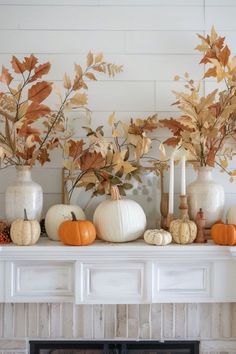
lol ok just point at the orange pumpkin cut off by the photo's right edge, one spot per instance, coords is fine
(224, 234)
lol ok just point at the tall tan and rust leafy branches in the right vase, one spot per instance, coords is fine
(207, 125)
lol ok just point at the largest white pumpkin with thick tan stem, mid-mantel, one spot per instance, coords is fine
(119, 220)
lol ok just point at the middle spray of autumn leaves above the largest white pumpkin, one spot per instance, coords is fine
(99, 163)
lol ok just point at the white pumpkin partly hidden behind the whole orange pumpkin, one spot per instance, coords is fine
(59, 213)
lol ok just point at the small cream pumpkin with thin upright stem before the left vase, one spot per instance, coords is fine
(25, 232)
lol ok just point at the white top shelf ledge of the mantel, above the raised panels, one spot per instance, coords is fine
(137, 249)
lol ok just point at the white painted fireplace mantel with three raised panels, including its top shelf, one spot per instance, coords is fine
(106, 273)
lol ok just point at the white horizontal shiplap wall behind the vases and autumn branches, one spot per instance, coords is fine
(153, 39)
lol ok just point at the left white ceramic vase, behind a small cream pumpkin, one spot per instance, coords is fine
(23, 194)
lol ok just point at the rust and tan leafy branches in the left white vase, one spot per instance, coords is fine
(30, 128)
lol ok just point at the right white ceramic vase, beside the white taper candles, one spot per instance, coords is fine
(205, 193)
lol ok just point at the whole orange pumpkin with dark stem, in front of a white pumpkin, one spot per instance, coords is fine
(77, 232)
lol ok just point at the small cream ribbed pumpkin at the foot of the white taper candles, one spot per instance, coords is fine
(183, 231)
